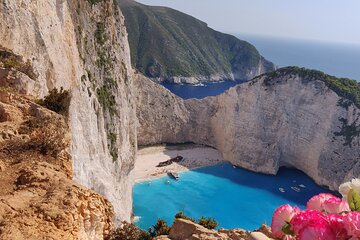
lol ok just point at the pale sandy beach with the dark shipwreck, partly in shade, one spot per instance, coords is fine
(194, 156)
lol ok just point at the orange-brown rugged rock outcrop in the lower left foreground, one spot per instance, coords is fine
(38, 198)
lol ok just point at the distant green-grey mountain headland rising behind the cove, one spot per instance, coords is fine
(167, 45)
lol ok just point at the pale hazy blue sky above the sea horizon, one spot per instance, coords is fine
(329, 20)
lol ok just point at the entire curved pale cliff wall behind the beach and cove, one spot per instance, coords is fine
(289, 120)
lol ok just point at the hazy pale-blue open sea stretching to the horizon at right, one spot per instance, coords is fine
(338, 59)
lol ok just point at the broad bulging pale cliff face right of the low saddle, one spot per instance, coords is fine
(292, 122)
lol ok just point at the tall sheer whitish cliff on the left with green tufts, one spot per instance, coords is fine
(82, 47)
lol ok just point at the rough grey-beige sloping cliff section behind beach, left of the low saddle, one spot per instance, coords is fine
(161, 115)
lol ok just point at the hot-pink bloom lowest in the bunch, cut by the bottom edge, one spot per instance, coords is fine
(317, 231)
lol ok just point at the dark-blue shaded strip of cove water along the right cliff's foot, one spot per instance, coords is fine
(286, 178)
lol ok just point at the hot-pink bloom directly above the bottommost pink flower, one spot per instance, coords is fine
(306, 218)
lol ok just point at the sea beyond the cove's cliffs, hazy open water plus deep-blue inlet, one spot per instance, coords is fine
(340, 60)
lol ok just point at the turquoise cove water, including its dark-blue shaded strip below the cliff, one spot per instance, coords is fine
(233, 196)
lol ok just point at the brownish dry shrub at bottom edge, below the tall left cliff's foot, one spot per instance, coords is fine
(128, 231)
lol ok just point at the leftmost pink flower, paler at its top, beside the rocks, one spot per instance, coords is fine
(281, 217)
